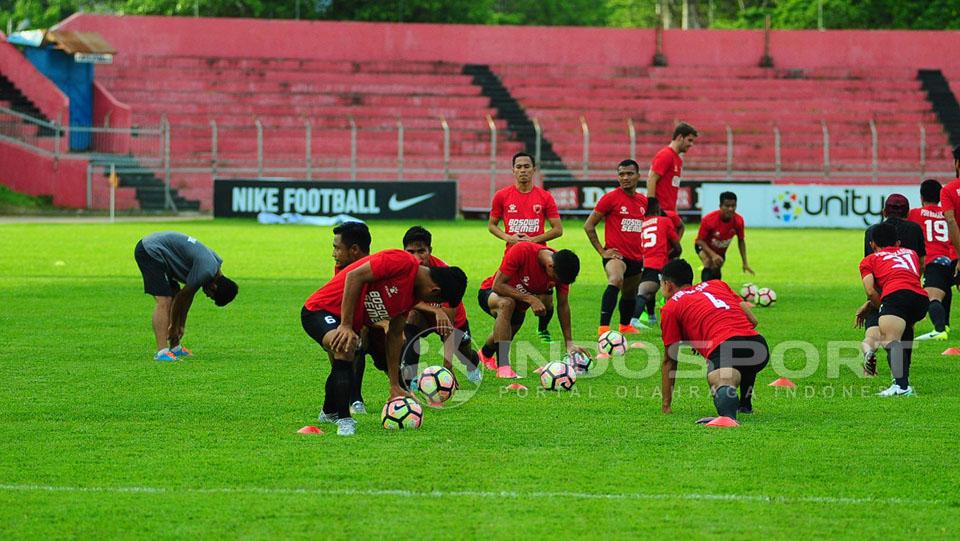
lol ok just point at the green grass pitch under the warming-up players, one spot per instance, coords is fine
(99, 441)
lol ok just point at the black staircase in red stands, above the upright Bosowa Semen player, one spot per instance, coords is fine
(519, 124)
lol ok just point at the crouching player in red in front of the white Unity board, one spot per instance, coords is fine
(717, 229)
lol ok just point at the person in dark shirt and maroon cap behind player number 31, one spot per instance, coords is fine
(895, 210)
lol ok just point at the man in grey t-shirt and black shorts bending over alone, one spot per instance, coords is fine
(166, 260)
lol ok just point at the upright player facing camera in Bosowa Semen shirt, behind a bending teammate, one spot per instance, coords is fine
(525, 208)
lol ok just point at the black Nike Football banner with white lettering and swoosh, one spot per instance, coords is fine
(416, 200)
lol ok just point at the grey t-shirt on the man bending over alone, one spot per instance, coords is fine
(185, 258)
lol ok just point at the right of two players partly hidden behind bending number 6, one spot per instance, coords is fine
(426, 318)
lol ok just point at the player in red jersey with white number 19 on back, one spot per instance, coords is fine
(938, 271)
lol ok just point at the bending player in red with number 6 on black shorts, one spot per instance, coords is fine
(374, 290)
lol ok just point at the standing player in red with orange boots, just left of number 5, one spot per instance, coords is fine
(622, 211)
